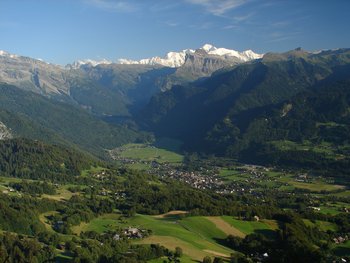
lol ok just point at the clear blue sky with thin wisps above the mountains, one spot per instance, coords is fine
(63, 31)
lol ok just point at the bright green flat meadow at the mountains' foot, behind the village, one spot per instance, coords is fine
(145, 152)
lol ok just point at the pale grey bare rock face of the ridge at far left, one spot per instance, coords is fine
(32, 74)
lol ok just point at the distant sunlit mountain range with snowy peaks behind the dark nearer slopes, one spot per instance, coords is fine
(117, 89)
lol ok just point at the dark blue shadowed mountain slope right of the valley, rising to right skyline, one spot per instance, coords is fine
(213, 115)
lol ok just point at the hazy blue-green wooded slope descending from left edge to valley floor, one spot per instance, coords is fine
(40, 118)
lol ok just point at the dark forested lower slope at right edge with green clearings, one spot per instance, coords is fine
(310, 130)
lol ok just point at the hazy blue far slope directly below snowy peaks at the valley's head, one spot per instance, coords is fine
(117, 89)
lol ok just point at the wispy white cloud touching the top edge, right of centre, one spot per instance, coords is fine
(218, 7)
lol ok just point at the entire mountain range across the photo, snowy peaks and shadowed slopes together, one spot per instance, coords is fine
(215, 100)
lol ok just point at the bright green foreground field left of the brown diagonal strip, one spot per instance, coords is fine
(197, 236)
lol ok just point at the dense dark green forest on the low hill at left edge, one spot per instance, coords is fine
(36, 160)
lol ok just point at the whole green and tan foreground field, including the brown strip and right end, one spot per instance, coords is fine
(198, 236)
